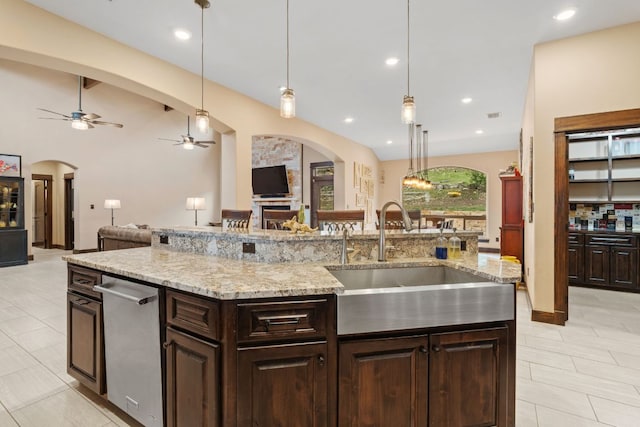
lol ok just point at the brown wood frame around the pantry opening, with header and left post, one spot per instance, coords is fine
(562, 127)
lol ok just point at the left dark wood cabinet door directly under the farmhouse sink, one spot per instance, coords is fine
(383, 382)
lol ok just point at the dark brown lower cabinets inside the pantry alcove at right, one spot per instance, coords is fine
(609, 260)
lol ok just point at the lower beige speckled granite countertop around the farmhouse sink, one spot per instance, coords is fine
(226, 279)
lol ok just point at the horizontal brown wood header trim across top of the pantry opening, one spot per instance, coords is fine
(597, 121)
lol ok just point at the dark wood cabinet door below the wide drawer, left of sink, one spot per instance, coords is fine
(283, 385)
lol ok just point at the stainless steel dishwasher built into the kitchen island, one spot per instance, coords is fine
(132, 348)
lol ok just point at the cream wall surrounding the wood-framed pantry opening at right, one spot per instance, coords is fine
(592, 73)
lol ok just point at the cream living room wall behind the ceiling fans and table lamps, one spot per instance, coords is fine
(152, 178)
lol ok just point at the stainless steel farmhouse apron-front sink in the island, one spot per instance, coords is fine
(402, 298)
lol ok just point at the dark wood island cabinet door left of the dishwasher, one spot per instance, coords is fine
(85, 342)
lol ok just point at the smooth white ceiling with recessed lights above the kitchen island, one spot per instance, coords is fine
(458, 48)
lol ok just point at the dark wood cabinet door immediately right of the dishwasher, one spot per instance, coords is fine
(192, 380)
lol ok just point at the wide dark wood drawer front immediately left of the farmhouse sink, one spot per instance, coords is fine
(282, 320)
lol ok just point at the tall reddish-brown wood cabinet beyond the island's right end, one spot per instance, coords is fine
(512, 230)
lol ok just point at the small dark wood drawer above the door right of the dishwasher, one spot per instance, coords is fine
(194, 314)
